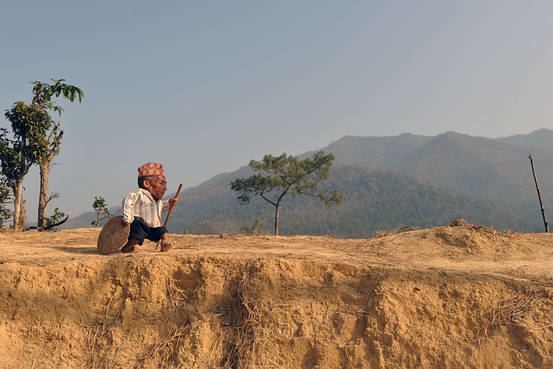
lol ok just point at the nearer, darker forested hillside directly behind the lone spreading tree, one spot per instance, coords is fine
(374, 201)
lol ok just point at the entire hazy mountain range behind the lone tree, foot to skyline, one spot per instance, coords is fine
(437, 178)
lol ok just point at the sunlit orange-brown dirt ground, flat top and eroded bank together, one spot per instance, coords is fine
(458, 296)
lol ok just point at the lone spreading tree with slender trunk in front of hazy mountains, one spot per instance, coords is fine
(277, 176)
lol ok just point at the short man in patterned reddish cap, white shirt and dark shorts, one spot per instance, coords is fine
(142, 208)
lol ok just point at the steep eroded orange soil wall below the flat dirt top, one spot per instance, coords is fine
(198, 312)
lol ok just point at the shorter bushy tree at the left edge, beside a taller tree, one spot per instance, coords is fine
(22, 150)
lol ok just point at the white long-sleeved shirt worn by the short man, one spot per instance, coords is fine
(141, 204)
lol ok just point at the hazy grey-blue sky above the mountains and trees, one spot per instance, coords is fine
(205, 86)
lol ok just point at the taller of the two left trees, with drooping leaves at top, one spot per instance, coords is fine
(48, 144)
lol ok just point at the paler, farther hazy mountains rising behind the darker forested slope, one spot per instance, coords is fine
(482, 168)
